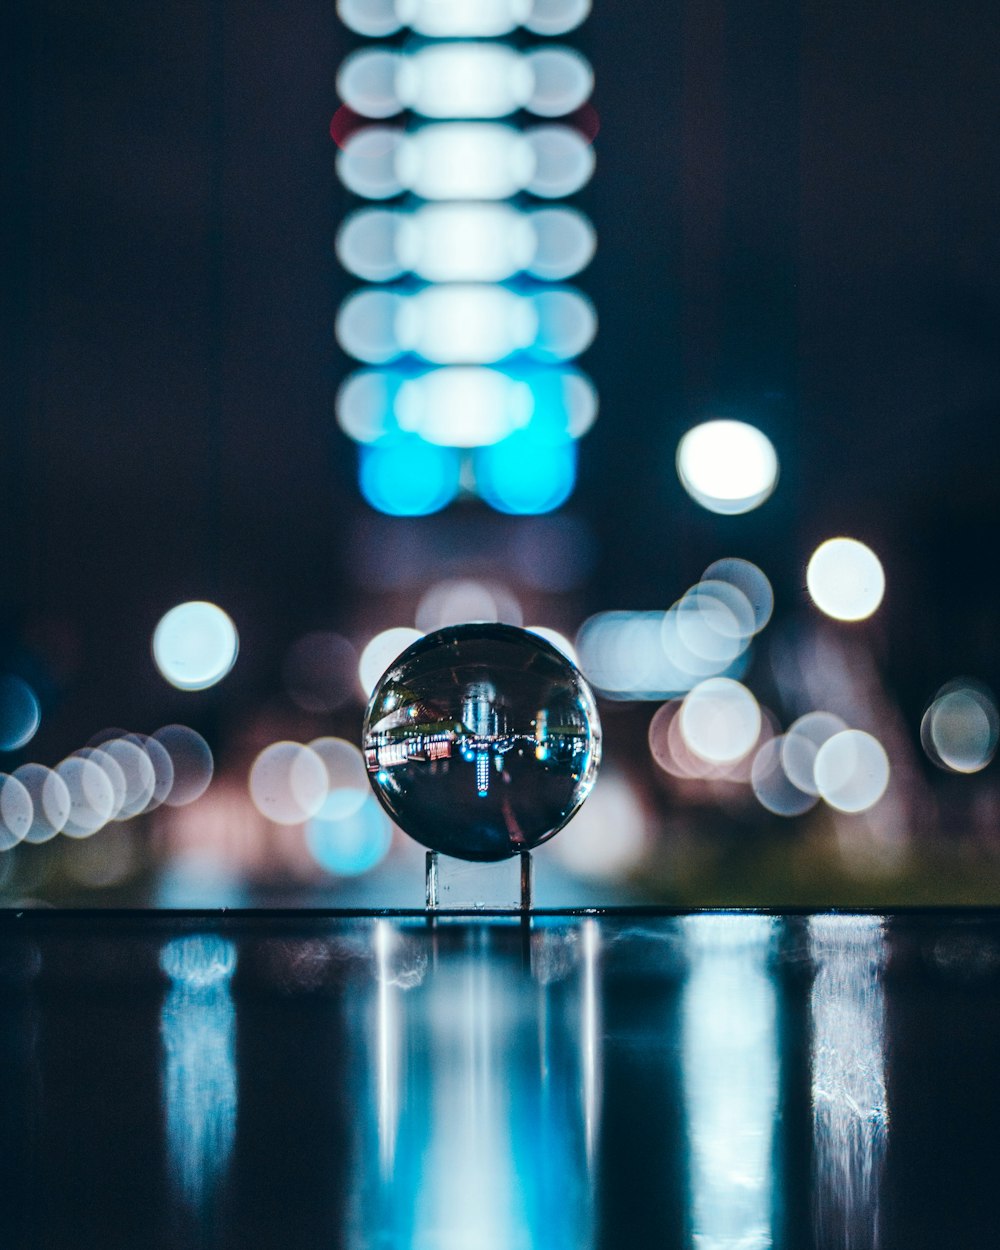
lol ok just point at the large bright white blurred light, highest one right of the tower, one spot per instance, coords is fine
(728, 467)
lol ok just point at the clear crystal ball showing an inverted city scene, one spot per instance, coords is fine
(482, 741)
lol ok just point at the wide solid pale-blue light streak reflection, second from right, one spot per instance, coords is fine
(729, 1047)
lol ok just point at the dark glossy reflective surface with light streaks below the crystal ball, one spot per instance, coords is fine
(709, 1081)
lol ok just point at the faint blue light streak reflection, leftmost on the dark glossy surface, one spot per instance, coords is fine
(199, 1027)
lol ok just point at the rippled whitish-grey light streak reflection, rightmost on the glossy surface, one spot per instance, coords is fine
(851, 1116)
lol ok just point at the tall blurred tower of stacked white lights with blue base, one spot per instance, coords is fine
(468, 332)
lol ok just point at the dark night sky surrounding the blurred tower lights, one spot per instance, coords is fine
(797, 209)
